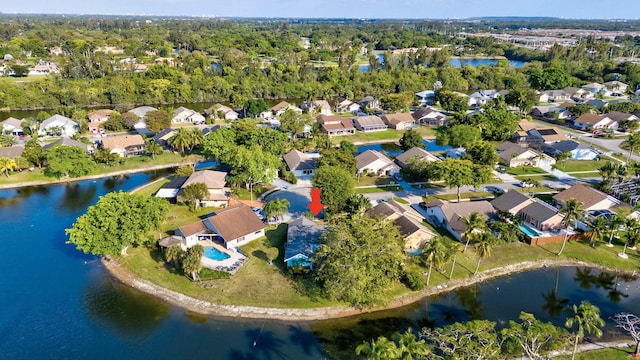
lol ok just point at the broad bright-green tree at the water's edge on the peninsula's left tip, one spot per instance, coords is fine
(116, 221)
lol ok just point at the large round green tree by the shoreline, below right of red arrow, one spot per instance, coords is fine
(377, 246)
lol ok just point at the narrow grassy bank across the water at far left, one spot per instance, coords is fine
(132, 163)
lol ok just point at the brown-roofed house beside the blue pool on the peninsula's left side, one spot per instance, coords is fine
(237, 225)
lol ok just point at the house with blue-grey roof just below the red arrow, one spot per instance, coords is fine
(303, 238)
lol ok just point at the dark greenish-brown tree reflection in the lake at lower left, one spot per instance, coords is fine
(128, 311)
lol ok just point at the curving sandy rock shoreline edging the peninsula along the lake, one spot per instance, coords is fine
(300, 314)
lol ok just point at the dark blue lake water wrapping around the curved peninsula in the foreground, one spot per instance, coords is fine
(56, 302)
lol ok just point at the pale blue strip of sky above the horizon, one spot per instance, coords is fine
(422, 9)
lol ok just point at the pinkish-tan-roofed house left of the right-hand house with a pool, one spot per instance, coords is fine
(450, 215)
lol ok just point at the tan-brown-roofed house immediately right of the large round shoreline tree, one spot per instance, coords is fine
(407, 220)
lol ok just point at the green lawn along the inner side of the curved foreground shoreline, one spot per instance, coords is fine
(259, 284)
